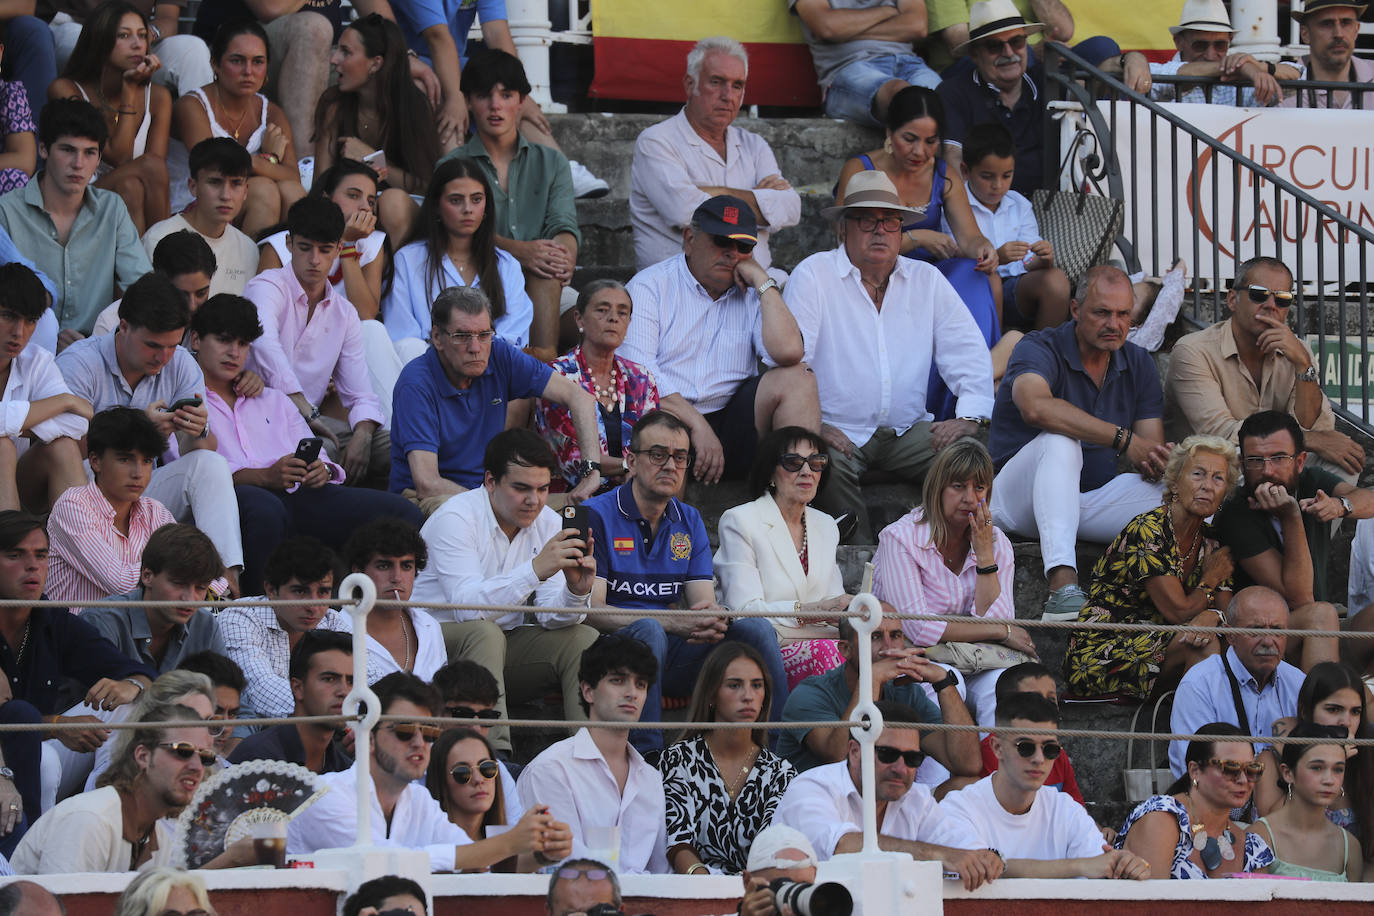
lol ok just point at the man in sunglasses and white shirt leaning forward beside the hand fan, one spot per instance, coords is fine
(405, 815)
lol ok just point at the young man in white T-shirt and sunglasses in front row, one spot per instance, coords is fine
(1038, 830)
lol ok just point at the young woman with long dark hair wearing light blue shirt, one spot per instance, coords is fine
(453, 244)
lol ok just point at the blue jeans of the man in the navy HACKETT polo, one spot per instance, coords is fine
(679, 664)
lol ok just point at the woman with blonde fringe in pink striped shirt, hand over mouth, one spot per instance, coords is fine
(947, 558)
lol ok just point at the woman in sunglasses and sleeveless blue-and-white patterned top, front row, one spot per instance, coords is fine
(1189, 833)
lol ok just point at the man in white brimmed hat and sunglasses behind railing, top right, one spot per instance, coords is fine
(1203, 41)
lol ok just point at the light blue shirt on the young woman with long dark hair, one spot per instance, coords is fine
(407, 311)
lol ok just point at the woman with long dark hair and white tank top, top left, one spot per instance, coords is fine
(112, 68)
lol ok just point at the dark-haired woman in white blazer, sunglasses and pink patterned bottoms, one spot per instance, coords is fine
(778, 554)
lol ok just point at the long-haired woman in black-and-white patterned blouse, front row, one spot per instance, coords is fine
(722, 788)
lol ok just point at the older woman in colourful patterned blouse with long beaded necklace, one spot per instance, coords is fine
(624, 391)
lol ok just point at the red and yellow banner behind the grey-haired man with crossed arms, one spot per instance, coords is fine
(641, 49)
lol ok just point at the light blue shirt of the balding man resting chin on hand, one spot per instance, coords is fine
(1204, 697)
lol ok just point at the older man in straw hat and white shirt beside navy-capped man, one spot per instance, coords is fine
(875, 325)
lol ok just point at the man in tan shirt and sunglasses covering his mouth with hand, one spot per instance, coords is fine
(1254, 362)
